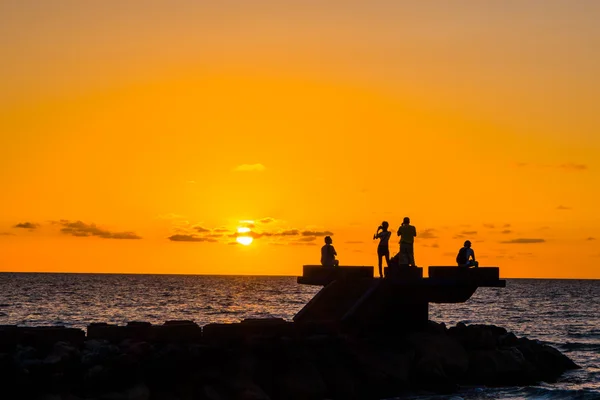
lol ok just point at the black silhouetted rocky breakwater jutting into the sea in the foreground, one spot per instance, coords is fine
(264, 359)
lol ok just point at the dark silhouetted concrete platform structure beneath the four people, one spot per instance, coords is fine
(354, 299)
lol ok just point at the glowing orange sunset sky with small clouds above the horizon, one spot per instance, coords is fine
(125, 125)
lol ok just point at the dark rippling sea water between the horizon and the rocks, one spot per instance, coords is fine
(562, 313)
